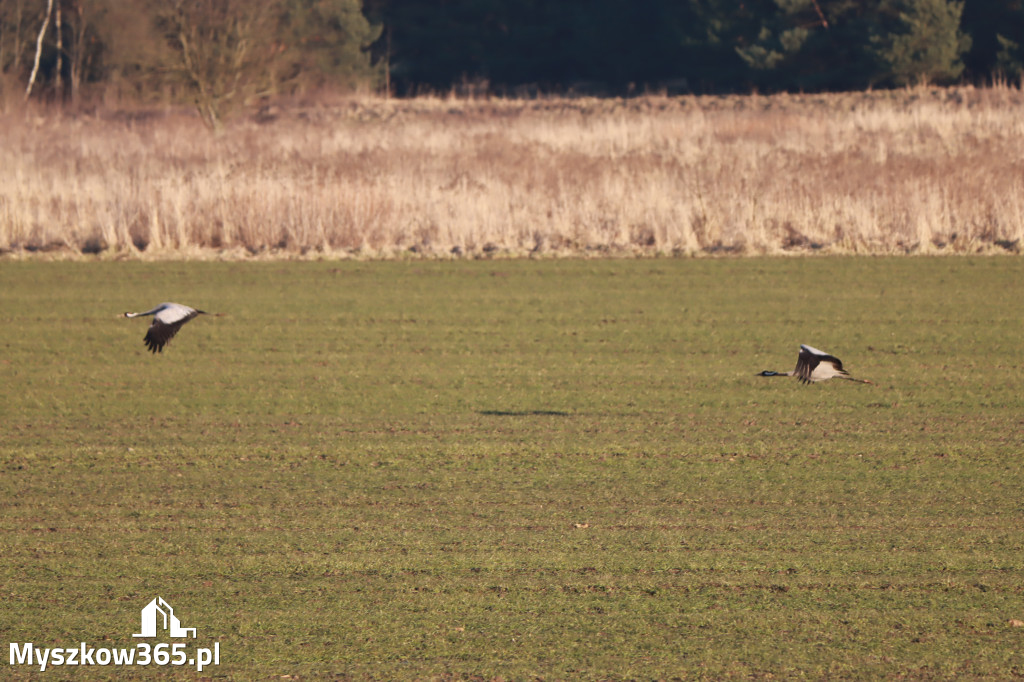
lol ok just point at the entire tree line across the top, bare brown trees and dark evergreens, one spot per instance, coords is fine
(221, 55)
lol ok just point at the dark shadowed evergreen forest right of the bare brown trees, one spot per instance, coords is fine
(697, 47)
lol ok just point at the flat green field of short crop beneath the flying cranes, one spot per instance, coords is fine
(560, 470)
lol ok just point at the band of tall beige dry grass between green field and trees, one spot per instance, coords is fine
(911, 172)
